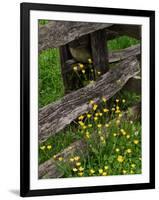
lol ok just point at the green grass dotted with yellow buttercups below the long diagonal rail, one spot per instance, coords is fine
(112, 142)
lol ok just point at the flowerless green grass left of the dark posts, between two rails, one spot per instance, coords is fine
(50, 80)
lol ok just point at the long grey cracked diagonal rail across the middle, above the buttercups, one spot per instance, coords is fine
(55, 116)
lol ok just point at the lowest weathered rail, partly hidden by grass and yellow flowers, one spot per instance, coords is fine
(49, 169)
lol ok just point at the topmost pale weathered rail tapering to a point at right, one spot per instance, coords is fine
(58, 33)
